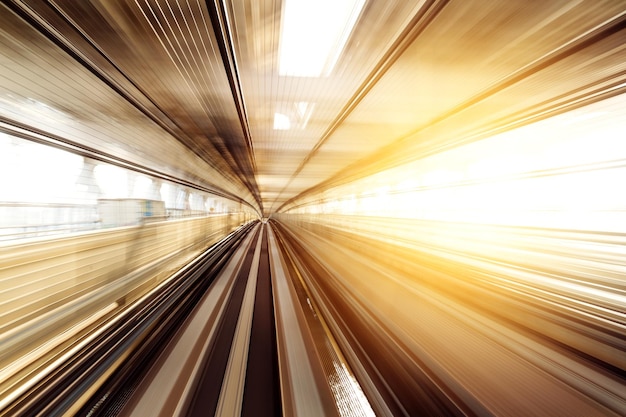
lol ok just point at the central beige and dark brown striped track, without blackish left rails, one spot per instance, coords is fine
(253, 346)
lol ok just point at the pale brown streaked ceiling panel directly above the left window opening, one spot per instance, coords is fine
(45, 91)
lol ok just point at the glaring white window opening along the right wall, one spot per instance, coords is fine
(557, 173)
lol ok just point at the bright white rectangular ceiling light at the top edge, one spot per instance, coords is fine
(313, 34)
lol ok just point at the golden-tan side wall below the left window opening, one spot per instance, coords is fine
(54, 291)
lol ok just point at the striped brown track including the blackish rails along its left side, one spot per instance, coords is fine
(233, 333)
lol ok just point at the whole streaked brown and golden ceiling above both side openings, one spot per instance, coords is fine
(409, 79)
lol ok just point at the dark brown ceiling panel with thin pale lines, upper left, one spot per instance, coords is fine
(170, 52)
